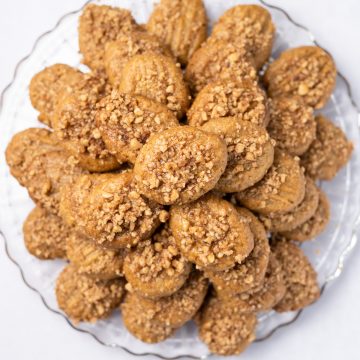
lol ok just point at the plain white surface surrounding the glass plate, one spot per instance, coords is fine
(327, 330)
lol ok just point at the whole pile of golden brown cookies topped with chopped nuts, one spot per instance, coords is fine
(175, 179)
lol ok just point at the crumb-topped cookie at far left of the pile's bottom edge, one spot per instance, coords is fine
(85, 299)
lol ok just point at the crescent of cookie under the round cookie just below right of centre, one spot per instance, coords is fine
(249, 273)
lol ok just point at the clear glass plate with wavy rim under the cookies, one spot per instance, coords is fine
(327, 253)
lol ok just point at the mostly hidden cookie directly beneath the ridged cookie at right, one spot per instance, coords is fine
(299, 215)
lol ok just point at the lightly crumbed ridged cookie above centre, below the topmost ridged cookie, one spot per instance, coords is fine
(157, 77)
